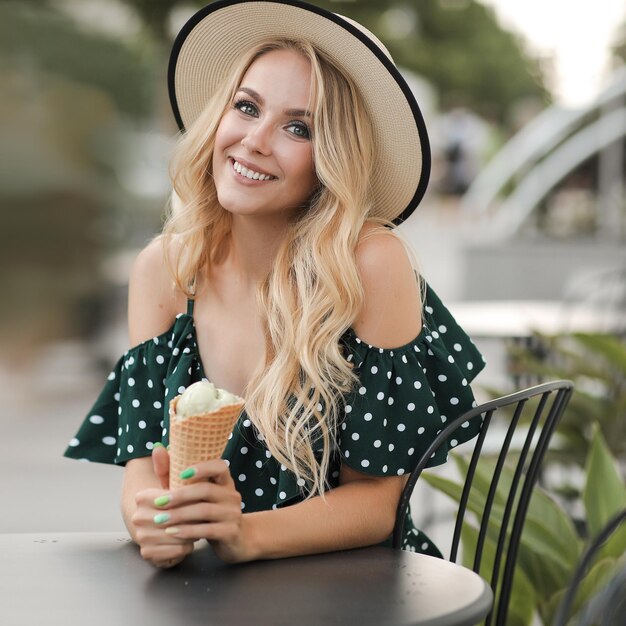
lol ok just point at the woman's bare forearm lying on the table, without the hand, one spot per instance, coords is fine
(356, 514)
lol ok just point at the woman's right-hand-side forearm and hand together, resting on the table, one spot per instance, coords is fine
(360, 512)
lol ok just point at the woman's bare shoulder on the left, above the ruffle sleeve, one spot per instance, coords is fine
(153, 299)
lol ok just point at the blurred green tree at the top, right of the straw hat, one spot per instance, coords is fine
(459, 46)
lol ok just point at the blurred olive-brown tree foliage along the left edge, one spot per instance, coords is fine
(66, 92)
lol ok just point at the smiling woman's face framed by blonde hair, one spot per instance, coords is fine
(263, 158)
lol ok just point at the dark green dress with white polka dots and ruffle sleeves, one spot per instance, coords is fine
(403, 399)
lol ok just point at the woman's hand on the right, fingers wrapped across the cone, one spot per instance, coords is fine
(207, 508)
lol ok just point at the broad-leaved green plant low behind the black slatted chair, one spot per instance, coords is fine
(551, 545)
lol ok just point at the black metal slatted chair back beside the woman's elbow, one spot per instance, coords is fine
(553, 399)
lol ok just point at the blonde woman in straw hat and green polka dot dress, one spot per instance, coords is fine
(298, 156)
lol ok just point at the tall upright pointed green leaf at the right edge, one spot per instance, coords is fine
(604, 493)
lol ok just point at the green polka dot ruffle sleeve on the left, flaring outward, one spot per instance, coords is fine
(131, 412)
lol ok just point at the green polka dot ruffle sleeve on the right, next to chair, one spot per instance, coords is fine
(407, 394)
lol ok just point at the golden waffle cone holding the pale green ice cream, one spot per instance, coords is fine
(198, 437)
